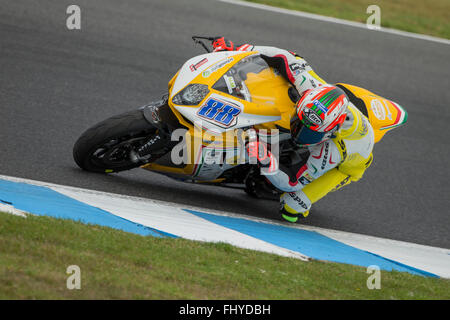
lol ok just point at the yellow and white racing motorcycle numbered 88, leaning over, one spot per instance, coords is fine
(197, 132)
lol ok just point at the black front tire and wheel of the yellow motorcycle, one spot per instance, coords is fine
(96, 148)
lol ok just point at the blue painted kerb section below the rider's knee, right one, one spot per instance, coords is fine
(309, 243)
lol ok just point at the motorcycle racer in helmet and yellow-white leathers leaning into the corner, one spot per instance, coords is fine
(338, 136)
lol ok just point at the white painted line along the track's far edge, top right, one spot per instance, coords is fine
(336, 20)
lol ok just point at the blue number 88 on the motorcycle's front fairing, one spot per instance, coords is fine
(218, 111)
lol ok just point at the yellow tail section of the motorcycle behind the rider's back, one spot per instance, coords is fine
(383, 114)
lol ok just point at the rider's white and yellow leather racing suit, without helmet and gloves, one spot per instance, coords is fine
(331, 164)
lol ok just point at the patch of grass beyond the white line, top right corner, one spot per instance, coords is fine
(426, 17)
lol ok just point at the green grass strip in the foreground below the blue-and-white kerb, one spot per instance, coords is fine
(36, 251)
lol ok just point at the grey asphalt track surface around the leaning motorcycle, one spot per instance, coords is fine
(55, 83)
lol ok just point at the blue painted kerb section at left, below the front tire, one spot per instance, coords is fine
(45, 201)
